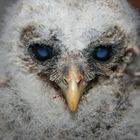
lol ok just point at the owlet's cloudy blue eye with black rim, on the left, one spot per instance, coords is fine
(41, 52)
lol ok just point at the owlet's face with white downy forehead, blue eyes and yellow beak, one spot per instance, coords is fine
(72, 48)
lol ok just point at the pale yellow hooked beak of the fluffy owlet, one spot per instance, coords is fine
(74, 88)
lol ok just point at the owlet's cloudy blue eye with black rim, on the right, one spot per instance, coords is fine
(102, 53)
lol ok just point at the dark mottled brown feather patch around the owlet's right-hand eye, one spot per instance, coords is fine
(115, 39)
